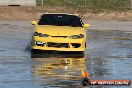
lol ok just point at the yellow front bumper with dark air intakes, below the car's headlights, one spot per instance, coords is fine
(58, 44)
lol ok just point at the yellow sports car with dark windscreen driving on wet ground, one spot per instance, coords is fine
(59, 32)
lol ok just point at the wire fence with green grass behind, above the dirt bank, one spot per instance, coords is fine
(95, 4)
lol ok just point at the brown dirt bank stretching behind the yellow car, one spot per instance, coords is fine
(33, 13)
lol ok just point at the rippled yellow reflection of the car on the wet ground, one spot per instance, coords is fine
(58, 68)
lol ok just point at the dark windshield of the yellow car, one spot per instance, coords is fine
(60, 20)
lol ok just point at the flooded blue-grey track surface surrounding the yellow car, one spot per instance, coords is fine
(108, 56)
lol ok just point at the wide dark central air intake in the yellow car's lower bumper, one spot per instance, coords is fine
(58, 45)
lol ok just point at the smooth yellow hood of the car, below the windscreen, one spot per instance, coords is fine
(60, 30)
